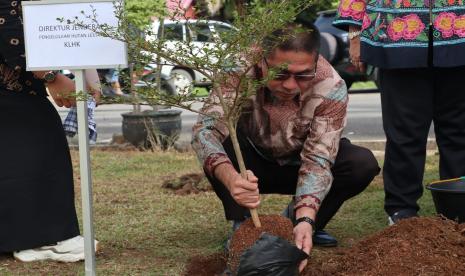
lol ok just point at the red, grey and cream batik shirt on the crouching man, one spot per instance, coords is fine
(306, 130)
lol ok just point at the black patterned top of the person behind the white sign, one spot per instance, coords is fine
(13, 76)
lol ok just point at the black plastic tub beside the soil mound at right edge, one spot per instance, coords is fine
(449, 198)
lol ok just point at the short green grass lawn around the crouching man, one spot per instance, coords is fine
(147, 230)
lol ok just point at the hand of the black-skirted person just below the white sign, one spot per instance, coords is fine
(62, 91)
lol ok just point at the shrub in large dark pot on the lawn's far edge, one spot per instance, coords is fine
(160, 126)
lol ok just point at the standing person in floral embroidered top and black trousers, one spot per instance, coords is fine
(419, 50)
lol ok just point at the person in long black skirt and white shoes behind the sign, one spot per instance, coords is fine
(37, 212)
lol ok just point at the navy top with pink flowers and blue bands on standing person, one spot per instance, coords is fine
(395, 33)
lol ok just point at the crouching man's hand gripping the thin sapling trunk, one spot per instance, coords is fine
(244, 191)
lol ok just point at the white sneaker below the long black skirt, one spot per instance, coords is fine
(71, 250)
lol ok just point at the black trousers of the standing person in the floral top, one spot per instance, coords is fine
(411, 99)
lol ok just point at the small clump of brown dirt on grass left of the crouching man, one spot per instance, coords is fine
(192, 183)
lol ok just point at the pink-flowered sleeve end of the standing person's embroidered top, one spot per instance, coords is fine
(350, 12)
